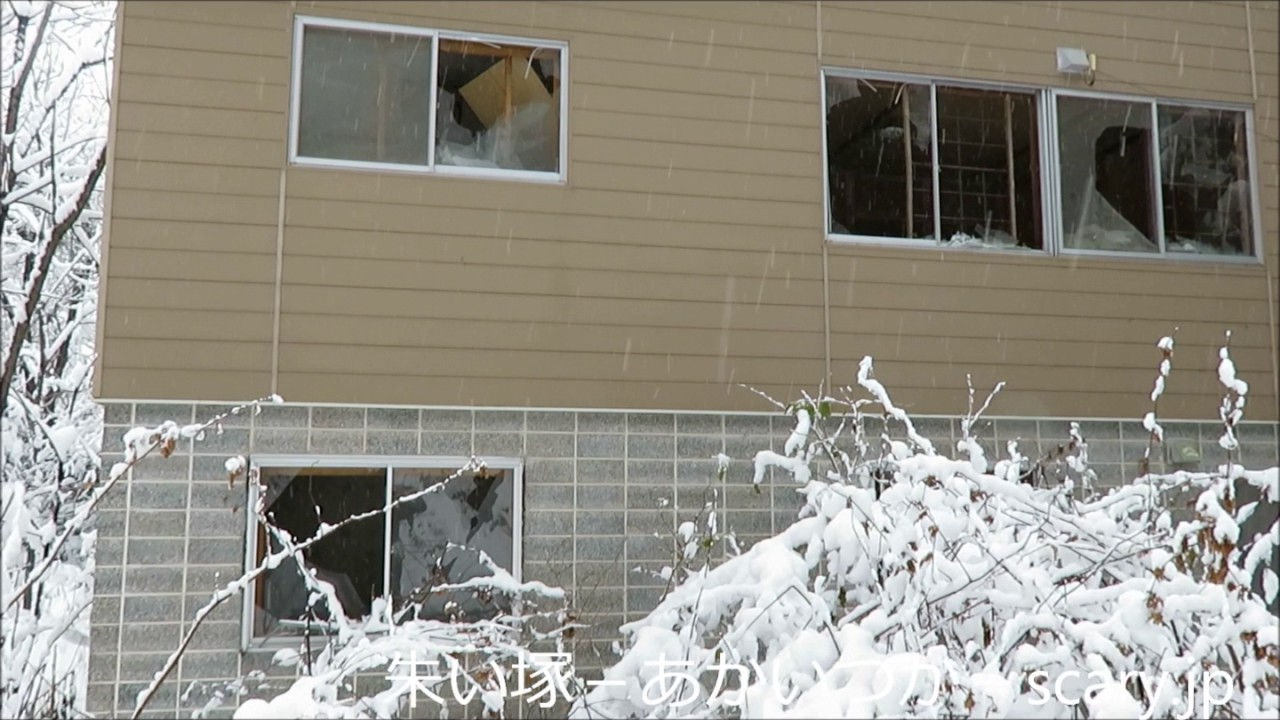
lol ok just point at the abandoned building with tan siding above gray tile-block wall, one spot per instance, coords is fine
(565, 236)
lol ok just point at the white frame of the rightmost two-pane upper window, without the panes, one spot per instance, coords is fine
(1252, 258)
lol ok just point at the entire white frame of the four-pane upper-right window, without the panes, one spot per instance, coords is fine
(1050, 172)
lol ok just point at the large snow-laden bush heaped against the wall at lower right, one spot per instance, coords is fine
(920, 586)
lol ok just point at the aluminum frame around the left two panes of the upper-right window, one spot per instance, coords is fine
(932, 83)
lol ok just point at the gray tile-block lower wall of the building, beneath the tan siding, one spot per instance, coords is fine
(604, 493)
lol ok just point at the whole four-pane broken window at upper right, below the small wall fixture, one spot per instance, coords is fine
(926, 162)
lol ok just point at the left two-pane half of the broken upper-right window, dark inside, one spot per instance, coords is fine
(884, 180)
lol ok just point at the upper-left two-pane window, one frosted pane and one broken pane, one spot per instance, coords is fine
(387, 97)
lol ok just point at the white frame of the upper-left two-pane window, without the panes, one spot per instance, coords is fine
(303, 22)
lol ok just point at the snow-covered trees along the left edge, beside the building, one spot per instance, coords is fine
(54, 89)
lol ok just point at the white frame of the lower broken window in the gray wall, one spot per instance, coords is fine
(391, 463)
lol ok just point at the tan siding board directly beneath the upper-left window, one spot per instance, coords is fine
(408, 194)
